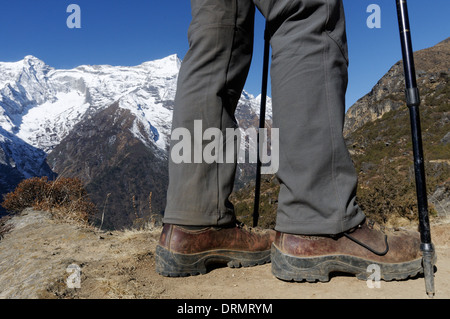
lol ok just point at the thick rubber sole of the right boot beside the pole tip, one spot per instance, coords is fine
(312, 269)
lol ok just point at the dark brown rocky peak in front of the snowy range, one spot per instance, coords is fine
(104, 153)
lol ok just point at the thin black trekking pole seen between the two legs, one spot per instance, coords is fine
(262, 119)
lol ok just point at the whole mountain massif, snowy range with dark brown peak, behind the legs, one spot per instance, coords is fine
(108, 125)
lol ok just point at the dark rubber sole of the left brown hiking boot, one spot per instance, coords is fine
(170, 264)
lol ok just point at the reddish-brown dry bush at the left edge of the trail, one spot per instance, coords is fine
(65, 198)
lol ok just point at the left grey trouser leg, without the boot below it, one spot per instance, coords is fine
(210, 82)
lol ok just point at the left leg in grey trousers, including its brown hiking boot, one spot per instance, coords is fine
(210, 83)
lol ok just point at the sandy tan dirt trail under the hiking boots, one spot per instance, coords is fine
(35, 255)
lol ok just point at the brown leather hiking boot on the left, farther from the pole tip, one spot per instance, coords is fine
(183, 252)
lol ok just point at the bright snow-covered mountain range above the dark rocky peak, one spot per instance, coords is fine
(40, 104)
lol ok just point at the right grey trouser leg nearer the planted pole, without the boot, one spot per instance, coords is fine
(309, 79)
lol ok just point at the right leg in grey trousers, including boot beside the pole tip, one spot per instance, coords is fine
(320, 228)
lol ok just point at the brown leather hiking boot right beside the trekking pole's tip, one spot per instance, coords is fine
(313, 258)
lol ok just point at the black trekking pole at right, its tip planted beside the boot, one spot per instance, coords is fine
(413, 102)
